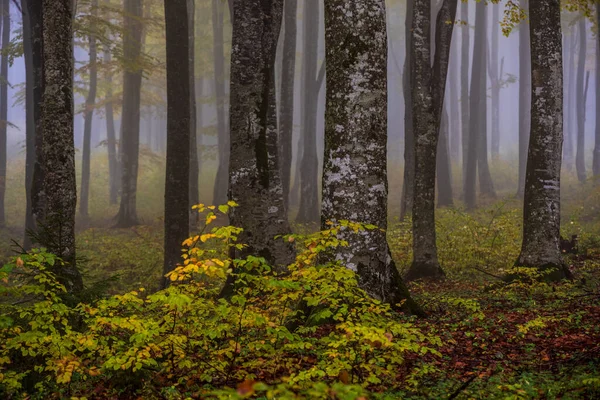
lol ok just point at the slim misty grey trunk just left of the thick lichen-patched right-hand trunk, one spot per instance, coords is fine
(524, 98)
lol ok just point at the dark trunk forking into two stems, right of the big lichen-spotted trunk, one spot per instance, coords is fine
(429, 85)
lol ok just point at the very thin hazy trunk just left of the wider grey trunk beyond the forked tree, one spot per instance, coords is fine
(464, 88)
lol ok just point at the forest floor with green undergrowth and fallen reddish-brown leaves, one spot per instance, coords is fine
(524, 340)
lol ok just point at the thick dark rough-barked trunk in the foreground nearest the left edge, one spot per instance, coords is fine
(58, 218)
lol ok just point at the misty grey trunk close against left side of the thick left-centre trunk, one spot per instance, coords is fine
(221, 184)
